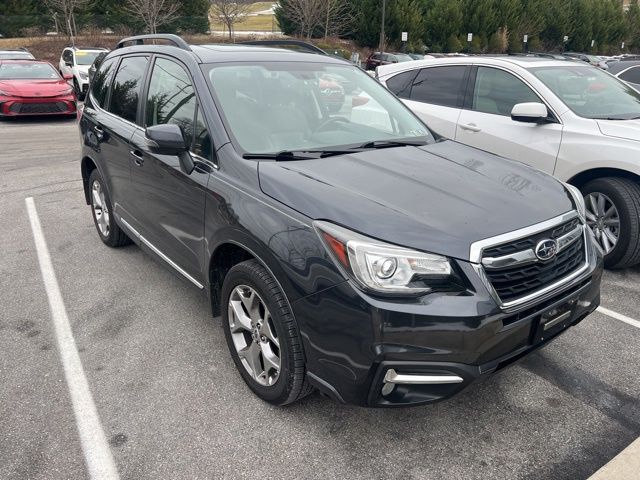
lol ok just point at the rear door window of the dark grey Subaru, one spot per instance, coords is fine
(126, 87)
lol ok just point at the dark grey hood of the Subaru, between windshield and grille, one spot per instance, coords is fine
(438, 198)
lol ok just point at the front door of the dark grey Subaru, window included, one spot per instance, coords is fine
(170, 204)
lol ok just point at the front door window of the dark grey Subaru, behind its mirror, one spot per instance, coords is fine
(172, 99)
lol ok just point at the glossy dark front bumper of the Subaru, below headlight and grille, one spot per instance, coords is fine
(374, 352)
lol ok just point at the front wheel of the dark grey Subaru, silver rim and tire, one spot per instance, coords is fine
(262, 335)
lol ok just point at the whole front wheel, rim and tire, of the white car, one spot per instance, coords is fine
(613, 214)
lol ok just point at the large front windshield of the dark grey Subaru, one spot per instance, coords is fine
(287, 106)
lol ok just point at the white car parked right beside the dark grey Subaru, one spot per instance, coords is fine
(566, 118)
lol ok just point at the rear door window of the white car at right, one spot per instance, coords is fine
(439, 86)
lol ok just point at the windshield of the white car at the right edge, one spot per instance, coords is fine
(590, 92)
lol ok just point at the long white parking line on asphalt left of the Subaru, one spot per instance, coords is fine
(96, 450)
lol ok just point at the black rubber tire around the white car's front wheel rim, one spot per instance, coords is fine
(625, 195)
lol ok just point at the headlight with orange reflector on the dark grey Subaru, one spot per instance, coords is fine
(384, 268)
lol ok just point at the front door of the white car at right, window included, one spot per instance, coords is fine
(486, 122)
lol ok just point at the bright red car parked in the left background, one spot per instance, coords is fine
(29, 87)
